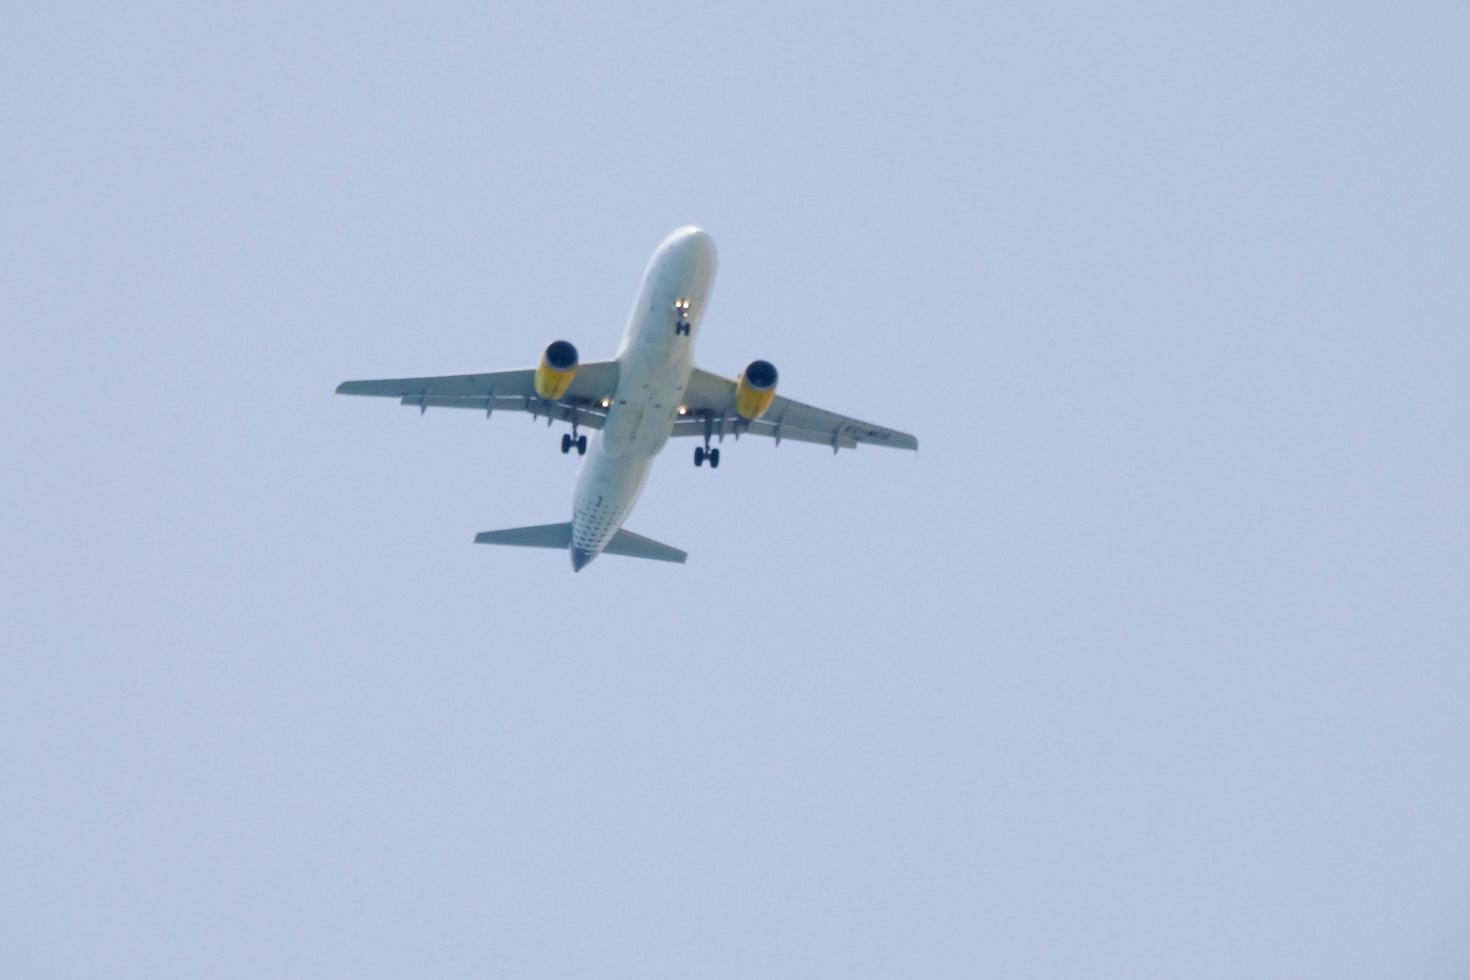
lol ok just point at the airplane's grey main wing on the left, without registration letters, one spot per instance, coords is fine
(502, 390)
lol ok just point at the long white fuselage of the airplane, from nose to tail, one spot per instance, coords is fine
(655, 364)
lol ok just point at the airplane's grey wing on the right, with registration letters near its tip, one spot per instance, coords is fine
(711, 402)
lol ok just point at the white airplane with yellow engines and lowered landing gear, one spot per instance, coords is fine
(648, 394)
